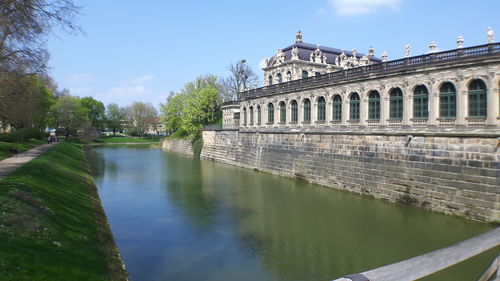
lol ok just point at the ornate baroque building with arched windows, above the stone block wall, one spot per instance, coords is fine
(317, 88)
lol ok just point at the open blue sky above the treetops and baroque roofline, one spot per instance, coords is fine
(143, 50)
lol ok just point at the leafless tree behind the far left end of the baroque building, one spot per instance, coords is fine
(241, 79)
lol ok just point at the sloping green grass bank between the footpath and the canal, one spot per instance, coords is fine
(52, 225)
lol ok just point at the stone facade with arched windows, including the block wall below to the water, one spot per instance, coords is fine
(422, 130)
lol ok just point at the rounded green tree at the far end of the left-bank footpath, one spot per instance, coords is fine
(68, 115)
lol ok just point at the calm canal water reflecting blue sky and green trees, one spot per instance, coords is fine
(179, 218)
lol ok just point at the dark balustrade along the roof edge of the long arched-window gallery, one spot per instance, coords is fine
(370, 70)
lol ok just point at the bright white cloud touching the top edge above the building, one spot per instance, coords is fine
(356, 7)
